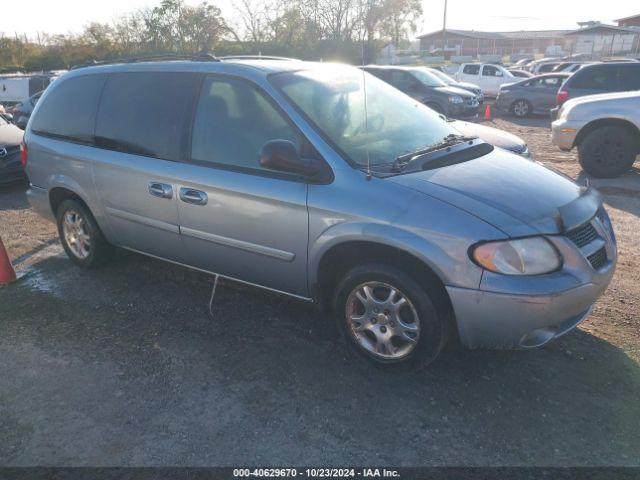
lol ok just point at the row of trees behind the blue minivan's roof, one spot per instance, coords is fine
(309, 29)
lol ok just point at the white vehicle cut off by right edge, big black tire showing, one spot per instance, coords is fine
(604, 128)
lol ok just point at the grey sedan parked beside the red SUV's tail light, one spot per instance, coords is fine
(531, 96)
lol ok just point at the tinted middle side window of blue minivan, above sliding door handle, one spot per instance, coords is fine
(146, 113)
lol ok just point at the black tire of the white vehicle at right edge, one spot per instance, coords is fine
(608, 152)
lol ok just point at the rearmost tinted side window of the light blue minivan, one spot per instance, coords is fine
(69, 110)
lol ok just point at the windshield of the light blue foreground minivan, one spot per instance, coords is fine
(393, 124)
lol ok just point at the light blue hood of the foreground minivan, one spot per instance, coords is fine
(518, 196)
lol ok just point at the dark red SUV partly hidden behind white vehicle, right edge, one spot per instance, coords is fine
(600, 78)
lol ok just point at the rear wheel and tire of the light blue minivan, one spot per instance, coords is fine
(80, 235)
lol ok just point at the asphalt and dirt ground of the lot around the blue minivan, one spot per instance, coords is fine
(123, 366)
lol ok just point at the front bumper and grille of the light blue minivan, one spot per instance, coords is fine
(519, 311)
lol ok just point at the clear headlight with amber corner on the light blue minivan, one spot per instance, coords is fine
(527, 256)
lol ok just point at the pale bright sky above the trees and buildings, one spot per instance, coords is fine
(62, 16)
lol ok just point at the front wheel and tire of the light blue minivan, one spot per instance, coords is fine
(390, 319)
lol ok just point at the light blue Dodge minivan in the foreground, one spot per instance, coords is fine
(322, 182)
